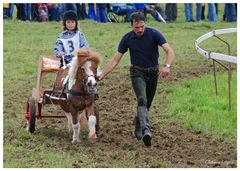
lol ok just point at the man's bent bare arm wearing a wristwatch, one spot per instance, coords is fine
(170, 57)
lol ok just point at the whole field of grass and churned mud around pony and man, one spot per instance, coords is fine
(191, 126)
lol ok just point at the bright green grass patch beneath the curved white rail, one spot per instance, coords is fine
(201, 110)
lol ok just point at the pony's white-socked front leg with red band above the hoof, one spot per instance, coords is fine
(91, 123)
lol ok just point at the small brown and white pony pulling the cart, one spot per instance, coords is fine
(80, 91)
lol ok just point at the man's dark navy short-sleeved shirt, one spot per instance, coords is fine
(144, 49)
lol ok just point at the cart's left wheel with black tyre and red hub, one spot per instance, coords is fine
(31, 115)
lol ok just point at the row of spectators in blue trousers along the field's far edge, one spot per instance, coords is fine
(110, 12)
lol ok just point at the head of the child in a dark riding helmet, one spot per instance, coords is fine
(70, 21)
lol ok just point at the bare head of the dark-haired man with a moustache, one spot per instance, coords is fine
(138, 23)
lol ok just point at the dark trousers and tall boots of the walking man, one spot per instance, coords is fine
(144, 82)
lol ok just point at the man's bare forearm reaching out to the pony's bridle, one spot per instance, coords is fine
(111, 65)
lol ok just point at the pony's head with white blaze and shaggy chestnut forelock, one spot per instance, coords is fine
(88, 61)
